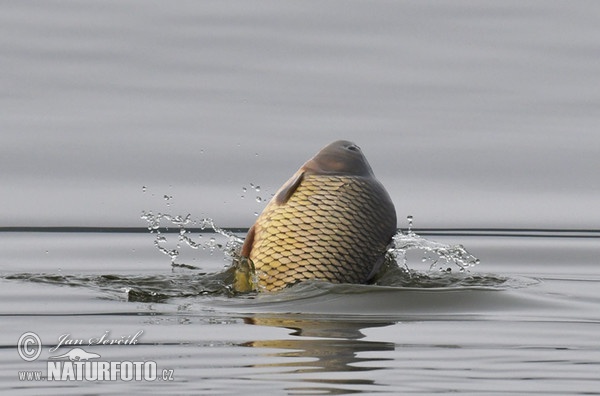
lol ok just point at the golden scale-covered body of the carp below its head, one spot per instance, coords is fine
(334, 228)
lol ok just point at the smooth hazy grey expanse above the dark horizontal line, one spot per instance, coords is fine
(472, 113)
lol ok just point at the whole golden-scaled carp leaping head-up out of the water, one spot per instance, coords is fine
(331, 221)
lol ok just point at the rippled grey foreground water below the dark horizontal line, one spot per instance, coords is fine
(523, 321)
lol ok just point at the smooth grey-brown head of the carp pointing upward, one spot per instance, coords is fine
(339, 158)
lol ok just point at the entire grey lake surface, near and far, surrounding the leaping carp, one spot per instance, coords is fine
(480, 118)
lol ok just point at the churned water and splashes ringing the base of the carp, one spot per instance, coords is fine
(238, 277)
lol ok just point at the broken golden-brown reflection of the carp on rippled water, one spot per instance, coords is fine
(333, 346)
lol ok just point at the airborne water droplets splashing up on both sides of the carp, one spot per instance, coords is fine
(441, 258)
